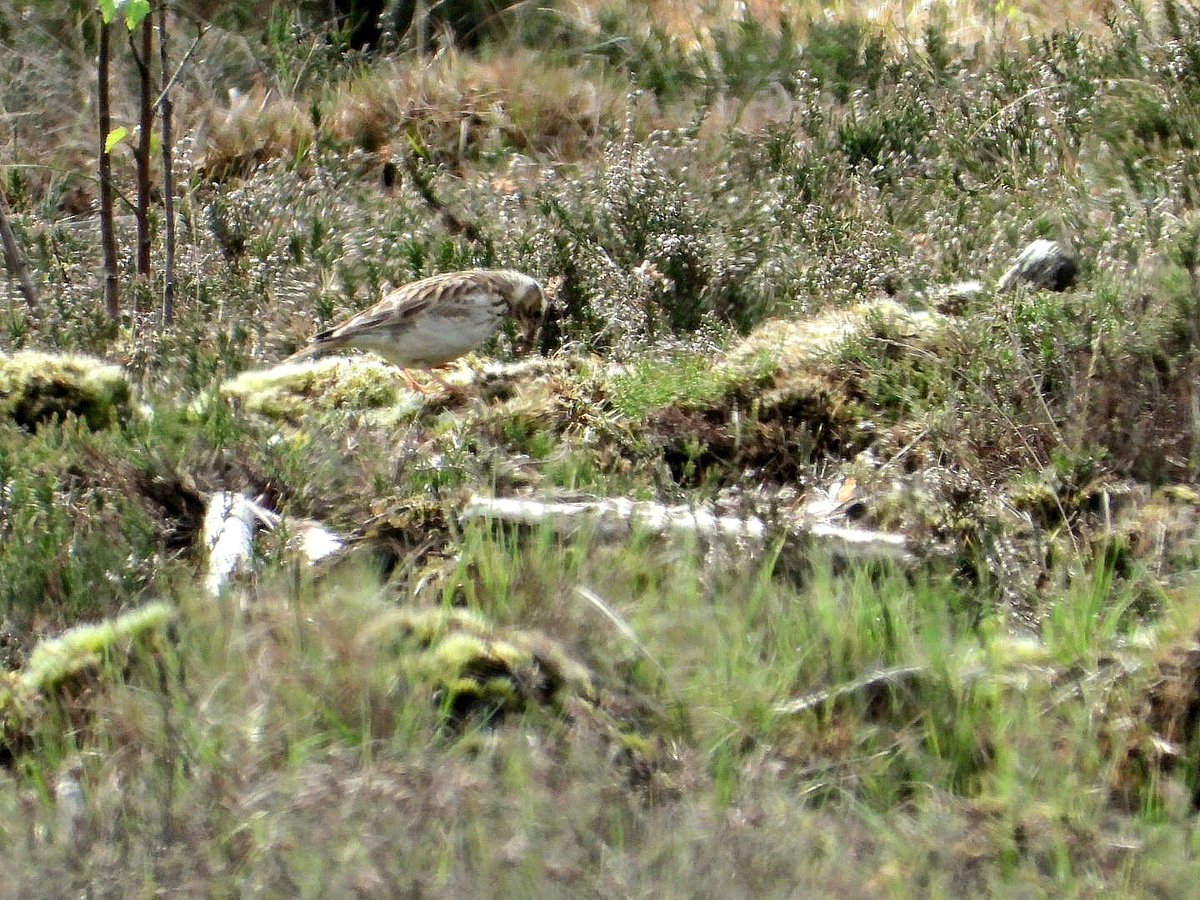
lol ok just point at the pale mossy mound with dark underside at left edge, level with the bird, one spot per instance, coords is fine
(38, 388)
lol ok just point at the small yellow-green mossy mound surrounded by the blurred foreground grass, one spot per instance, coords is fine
(476, 670)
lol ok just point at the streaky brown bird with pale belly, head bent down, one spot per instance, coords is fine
(435, 321)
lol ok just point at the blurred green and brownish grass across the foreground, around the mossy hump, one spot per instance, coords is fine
(265, 735)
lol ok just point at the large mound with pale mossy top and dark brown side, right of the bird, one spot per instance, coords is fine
(775, 403)
